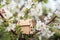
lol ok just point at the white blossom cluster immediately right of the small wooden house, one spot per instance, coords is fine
(44, 30)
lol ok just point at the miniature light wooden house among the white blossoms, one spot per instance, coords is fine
(27, 26)
